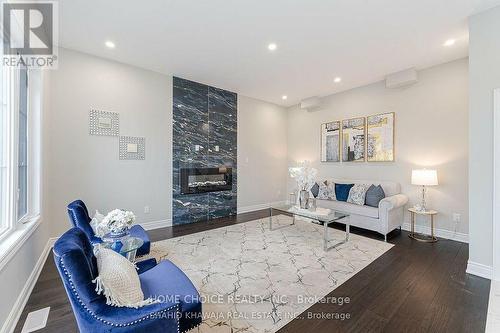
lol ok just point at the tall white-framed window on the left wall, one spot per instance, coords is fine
(19, 147)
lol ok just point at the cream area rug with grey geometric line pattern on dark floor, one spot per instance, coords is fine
(252, 279)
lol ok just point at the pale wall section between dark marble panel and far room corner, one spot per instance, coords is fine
(262, 151)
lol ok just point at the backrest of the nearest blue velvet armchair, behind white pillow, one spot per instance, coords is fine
(77, 267)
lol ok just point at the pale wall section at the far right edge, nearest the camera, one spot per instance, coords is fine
(484, 76)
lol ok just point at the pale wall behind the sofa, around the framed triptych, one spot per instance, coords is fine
(431, 131)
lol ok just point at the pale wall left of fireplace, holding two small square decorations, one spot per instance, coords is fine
(86, 166)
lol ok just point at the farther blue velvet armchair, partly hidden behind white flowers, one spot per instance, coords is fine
(80, 218)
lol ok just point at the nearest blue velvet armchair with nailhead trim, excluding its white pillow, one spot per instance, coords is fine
(178, 311)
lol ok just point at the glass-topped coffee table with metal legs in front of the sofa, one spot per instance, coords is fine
(320, 216)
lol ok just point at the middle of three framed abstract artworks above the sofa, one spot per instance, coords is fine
(353, 140)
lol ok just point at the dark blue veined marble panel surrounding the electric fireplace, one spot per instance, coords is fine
(203, 117)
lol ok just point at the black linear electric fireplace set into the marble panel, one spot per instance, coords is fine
(203, 180)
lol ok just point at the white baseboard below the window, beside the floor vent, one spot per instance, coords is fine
(22, 299)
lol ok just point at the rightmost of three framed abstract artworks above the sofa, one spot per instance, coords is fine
(380, 138)
